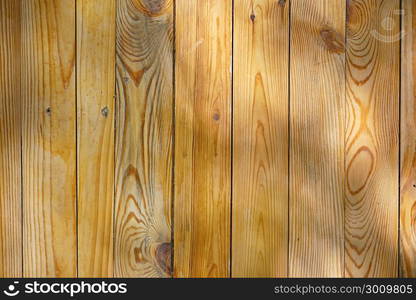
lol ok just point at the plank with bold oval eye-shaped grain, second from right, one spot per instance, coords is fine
(372, 127)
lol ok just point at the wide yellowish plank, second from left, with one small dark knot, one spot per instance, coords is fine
(48, 135)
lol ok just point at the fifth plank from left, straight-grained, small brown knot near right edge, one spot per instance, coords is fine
(202, 138)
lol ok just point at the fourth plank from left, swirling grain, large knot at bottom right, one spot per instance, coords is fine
(144, 133)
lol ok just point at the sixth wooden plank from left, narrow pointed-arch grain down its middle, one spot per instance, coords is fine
(261, 137)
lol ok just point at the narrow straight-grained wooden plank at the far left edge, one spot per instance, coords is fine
(10, 141)
